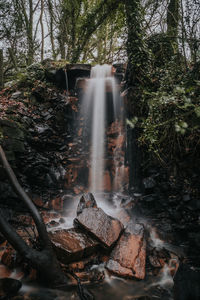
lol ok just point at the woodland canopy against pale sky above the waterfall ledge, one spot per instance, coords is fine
(92, 31)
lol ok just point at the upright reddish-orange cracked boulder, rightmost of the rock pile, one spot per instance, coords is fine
(129, 255)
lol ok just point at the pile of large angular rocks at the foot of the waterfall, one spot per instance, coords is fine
(96, 232)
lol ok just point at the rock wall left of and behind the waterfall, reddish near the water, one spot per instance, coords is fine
(40, 135)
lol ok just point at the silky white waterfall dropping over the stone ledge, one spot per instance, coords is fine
(101, 108)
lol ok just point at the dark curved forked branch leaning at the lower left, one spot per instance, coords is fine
(44, 261)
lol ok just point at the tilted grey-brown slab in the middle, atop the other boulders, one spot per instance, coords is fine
(103, 227)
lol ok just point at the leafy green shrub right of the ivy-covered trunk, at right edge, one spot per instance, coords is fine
(172, 125)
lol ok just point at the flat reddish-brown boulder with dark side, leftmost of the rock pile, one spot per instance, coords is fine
(72, 244)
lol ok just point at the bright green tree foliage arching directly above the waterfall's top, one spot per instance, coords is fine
(84, 26)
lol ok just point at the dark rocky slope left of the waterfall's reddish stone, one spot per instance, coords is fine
(36, 131)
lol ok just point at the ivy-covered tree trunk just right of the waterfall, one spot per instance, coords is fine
(136, 81)
